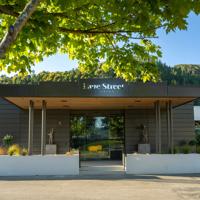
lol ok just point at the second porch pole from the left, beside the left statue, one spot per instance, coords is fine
(43, 128)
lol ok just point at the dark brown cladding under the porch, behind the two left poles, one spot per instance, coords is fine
(56, 119)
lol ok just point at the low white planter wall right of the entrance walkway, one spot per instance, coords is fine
(162, 163)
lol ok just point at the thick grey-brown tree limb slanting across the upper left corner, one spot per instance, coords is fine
(15, 29)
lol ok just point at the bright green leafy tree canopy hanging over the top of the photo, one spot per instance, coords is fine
(114, 34)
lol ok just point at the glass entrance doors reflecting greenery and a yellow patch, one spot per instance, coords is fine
(98, 137)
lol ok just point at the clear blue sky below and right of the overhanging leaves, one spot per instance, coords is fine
(180, 47)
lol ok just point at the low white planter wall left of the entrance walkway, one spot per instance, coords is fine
(39, 165)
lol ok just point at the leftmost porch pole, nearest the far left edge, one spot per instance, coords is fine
(30, 127)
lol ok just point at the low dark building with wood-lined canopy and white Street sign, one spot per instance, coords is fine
(84, 115)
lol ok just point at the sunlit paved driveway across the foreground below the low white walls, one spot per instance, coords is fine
(107, 187)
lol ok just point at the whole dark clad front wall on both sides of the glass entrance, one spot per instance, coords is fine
(15, 121)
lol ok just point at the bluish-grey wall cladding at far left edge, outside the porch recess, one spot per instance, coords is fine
(9, 120)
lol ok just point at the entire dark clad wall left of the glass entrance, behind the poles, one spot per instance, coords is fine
(14, 121)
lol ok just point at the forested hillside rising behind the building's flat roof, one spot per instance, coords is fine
(178, 75)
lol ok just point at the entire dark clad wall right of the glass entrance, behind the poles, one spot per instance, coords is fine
(183, 124)
